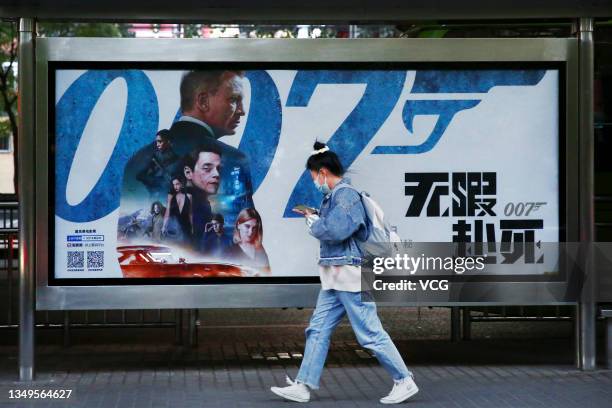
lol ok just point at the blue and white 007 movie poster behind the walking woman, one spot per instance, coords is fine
(194, 173)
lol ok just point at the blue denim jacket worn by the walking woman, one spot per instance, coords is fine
(342, 220)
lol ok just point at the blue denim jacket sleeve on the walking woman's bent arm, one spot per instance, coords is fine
(344, 218)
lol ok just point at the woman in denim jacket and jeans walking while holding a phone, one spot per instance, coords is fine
(341, 221)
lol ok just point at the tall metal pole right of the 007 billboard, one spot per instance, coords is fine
(587, 310)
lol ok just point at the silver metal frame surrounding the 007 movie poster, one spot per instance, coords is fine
(48, 297)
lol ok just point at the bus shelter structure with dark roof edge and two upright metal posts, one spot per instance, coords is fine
(319, 12)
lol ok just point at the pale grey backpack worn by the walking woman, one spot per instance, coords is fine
(382, 239)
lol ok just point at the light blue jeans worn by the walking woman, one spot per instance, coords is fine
(331, 307)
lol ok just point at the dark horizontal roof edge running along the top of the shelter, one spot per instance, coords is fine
(205, 11)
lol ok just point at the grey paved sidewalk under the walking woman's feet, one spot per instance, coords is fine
(239, 375)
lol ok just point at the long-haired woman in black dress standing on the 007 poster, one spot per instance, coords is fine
(178, 220)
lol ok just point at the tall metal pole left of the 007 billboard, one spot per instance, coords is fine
(26, 199)
